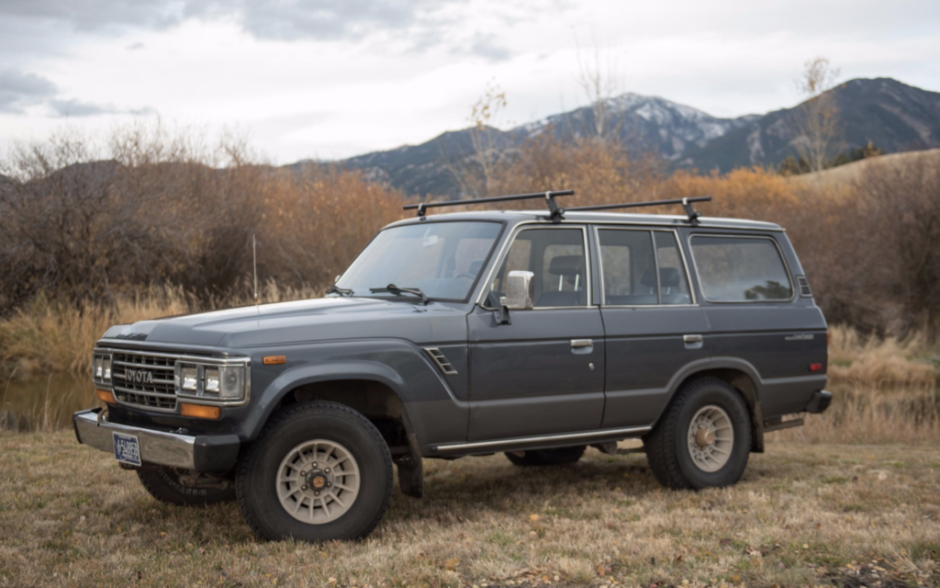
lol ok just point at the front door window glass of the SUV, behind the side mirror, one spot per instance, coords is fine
(556, 258)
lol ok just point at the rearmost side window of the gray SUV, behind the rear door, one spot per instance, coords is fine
(740, 269)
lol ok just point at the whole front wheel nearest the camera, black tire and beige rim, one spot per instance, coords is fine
(319, 471)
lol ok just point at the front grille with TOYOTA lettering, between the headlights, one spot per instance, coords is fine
(144, 380)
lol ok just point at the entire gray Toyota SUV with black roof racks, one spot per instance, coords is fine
(529, 333)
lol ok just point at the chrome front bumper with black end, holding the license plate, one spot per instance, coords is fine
(201, 453)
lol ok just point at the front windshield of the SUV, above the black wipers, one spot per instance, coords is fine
(442, 259)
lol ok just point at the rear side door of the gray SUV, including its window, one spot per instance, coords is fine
(653, 325)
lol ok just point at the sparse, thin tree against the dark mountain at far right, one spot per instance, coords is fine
(818, 122)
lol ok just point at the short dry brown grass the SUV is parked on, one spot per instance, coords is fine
(804, 515)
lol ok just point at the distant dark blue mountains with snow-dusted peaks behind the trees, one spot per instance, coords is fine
(893, 116)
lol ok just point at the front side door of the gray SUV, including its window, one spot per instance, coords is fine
(544, 372)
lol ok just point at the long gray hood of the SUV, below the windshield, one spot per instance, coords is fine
(302, 321)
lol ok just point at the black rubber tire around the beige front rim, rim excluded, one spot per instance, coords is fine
(256, 478)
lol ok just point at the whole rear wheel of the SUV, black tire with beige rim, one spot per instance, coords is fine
(704, 438)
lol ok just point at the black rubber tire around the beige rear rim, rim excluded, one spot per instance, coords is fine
(668, 445)
